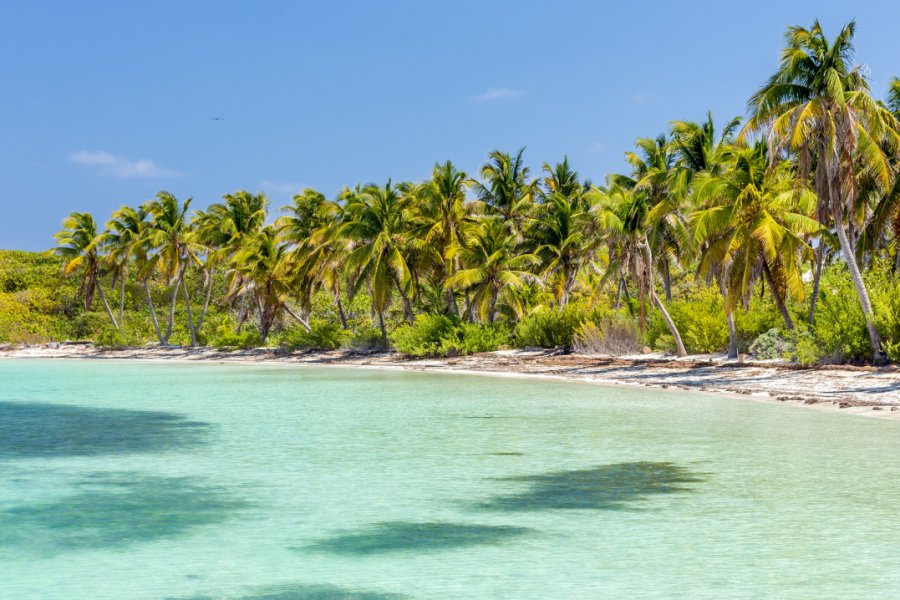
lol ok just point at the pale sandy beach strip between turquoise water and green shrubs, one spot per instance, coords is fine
(866, 391)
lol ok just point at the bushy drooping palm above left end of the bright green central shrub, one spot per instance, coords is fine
(376, 225)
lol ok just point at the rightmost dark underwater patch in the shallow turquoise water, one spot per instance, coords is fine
(606, 487)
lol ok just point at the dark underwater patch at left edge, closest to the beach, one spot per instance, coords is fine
(38, 430)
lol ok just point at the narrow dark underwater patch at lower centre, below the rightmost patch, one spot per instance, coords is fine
(399, 536)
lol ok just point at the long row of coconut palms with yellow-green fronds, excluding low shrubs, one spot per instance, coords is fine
(810, 176)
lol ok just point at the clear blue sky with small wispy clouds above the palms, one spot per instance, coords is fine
(105, 103)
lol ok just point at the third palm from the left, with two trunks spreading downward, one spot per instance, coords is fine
(174, 249)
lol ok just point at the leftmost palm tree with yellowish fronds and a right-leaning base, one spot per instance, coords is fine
(78, 244)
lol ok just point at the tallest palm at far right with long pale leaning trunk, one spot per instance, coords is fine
(818, 105)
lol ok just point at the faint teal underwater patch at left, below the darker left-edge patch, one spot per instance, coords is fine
(117, 511)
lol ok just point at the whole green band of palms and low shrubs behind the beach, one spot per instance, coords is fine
(778, 234)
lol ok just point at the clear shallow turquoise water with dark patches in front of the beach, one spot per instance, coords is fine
(188, 481)
